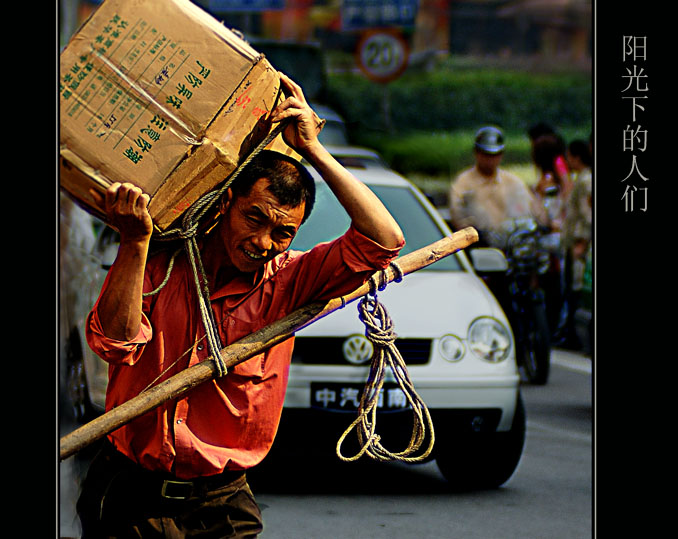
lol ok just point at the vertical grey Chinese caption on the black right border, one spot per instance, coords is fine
(635, 137)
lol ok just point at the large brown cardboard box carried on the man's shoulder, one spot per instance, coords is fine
(160, 94)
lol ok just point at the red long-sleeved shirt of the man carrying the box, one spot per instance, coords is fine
(229, 422)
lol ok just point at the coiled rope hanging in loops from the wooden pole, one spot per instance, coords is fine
(379, 331)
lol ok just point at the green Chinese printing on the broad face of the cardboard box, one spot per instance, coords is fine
(105, 90)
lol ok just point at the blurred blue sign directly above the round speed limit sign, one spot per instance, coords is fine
(364, 14)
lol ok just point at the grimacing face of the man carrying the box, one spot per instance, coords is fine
(256, 227)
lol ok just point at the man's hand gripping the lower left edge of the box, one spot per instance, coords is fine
(126, 207)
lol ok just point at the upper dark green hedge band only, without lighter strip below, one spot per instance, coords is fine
(450, 99)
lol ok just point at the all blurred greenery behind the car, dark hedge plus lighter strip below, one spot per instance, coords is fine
(425, 122)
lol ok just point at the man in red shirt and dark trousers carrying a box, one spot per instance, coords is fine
(179, 470)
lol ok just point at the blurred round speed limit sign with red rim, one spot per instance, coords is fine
(382, 55)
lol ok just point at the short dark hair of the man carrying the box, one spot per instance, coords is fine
(290, 182)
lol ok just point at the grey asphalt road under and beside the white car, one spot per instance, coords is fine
(550, 495)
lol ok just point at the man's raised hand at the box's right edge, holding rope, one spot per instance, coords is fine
(305, 123)
